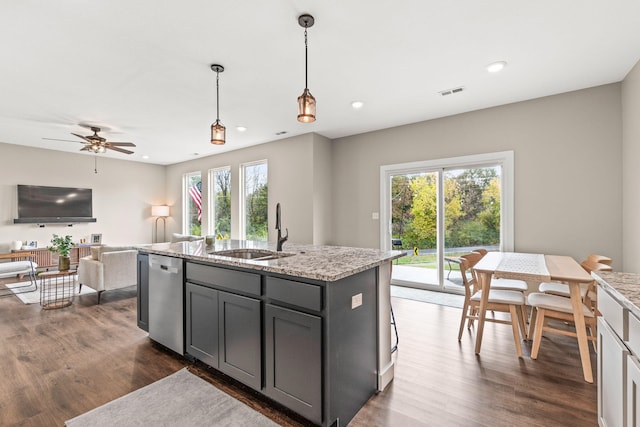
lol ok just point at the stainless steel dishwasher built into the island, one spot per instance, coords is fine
(166, 302)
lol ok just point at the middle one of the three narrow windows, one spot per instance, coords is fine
(220, 202)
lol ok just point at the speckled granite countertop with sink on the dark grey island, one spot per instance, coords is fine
(326, 263)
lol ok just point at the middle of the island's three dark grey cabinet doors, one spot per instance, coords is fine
(240, 338)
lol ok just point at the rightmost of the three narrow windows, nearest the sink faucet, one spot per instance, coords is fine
(254, 214)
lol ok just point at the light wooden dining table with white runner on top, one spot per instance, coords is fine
(537, 268)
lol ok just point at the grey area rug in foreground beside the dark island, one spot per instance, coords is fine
(181, 399)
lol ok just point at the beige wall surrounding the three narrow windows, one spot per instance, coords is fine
(291, 169)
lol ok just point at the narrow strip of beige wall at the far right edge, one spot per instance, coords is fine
(631, 171)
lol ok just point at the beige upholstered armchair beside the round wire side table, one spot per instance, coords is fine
(108, 267)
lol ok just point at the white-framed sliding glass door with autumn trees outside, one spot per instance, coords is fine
(436, 211)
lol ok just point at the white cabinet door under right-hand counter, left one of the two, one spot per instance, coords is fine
(612, 357)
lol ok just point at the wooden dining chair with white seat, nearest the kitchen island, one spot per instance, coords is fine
(499, 300)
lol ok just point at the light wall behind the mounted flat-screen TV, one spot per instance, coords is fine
(123, 192)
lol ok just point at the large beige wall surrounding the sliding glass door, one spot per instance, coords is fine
(567, 169)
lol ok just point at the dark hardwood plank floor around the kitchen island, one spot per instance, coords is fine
(57, 364)
